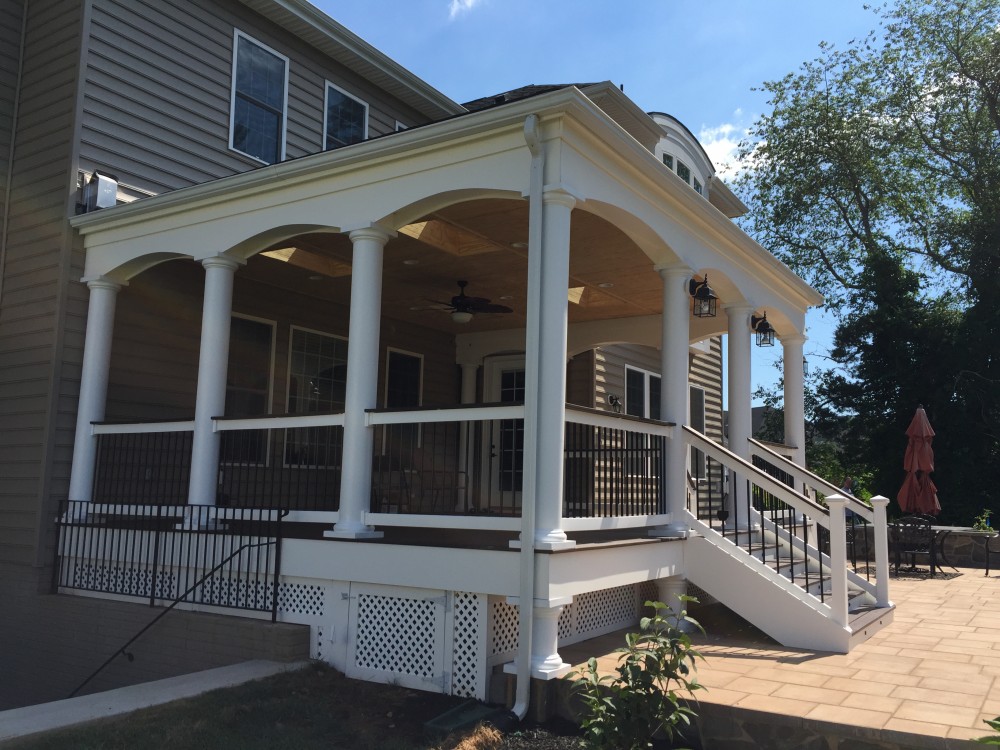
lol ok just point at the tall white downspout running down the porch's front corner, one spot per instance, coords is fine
(526, 591)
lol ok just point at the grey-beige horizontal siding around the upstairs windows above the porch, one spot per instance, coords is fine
(159, 75)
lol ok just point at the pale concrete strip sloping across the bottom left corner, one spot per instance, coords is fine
(20, 722)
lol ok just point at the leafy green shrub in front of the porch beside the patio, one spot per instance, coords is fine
(649, 694)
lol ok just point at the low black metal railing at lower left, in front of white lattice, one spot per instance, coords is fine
(197, 554)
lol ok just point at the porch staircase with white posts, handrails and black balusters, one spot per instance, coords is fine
(780, 558)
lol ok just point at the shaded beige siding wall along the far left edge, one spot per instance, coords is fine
(35, 278)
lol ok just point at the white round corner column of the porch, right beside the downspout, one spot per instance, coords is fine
(549, 402)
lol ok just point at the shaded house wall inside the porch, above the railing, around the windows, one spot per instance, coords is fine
(154, 365)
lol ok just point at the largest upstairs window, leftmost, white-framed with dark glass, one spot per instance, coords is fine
(259, 99)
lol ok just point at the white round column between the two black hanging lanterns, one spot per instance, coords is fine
(740, 415)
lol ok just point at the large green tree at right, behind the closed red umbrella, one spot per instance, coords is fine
(876, 176)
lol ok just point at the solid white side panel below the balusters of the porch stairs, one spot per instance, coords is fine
(766, 599)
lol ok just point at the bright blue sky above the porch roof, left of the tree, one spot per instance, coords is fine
(698, 61)
